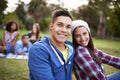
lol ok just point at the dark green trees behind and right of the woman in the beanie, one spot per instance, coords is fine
(96, 14)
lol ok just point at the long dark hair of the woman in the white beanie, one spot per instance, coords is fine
(90, 47)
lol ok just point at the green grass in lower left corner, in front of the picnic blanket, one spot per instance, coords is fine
(11, 69)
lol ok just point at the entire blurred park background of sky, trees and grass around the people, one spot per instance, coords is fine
(103, 17)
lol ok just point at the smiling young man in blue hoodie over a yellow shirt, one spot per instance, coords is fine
(52, 58)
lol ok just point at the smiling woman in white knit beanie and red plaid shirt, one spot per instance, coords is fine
(88, 60)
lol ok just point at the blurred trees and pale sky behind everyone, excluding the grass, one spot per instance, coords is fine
(103, 16)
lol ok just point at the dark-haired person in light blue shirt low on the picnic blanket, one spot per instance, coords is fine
(23, 46)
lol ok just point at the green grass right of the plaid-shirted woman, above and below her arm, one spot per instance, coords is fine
(109, 47)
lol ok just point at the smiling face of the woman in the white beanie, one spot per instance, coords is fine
(81, 36)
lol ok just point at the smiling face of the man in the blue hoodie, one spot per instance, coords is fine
(61, 29)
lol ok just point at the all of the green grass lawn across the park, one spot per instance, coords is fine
(11, 69)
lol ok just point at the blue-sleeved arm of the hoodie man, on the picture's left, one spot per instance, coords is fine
(39, 64)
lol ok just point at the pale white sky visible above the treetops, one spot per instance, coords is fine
(69, 4)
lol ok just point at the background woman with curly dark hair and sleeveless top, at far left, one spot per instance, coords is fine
(10, 36)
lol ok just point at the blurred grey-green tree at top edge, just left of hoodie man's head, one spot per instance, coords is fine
(39, 11)
